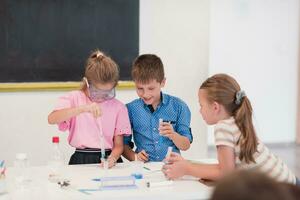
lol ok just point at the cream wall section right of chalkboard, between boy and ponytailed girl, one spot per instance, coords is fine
(177, 31)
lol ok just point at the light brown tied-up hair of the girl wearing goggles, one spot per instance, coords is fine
(100, 68)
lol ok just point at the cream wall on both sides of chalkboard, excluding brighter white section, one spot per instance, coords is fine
(176, 30)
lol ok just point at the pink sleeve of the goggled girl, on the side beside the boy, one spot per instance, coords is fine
(123, 124)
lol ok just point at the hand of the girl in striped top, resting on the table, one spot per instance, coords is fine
(176, 169)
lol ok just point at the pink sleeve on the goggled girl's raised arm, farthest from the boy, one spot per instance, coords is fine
(64, 102)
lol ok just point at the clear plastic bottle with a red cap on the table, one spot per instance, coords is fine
(56, 161)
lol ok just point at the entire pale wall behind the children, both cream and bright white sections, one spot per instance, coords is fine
(255, 41)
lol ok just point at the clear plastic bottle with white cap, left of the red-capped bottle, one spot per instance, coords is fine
(21, 165)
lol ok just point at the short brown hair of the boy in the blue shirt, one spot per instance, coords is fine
(147, 67)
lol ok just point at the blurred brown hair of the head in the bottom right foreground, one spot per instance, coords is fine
(249, 185)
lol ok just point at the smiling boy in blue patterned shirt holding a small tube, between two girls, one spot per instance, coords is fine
(151, 137)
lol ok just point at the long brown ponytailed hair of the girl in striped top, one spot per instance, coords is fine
(222, 88)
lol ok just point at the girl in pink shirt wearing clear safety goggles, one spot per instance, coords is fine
(92, 115)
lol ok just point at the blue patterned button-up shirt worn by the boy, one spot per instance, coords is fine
(145, 121)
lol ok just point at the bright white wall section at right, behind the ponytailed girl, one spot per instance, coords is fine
(257, 42)
